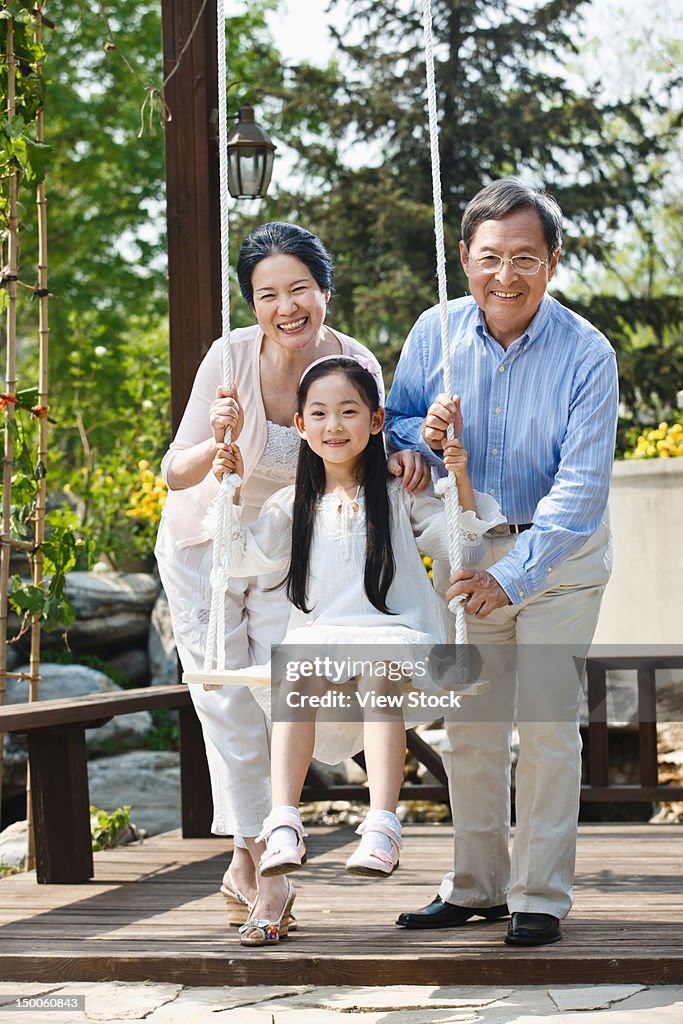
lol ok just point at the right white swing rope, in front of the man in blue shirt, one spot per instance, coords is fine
(449, 487)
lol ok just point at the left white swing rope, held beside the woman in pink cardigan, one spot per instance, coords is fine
(215, 657)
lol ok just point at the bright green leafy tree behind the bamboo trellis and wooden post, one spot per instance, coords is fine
(107, 243)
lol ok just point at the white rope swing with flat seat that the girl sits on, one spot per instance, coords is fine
(215, 673)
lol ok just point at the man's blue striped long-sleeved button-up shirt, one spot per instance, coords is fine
(540, 421)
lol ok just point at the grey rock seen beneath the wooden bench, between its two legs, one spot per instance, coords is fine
(149, 781)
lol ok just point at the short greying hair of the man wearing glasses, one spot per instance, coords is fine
(507, 196)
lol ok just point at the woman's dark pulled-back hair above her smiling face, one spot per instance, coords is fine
(280, 239)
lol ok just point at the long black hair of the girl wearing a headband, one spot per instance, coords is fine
(372, 475)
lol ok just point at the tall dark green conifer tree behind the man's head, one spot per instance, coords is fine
(511, 101)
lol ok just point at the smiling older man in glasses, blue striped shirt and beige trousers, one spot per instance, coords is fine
(538, 391)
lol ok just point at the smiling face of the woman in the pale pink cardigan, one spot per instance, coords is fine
(289, 304)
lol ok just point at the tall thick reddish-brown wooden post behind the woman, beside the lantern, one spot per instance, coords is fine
(192, 193)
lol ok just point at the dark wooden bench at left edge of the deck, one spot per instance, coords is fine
(59, 761)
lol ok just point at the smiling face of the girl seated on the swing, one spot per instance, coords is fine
(337, 422)
